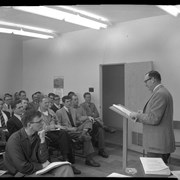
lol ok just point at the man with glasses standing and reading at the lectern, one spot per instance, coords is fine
(157, 119)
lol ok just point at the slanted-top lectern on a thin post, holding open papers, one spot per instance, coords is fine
(123, 111)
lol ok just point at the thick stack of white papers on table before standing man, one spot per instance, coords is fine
(154, 166)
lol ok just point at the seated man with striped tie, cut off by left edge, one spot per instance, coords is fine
(4, 134)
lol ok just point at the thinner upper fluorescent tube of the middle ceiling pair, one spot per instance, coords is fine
(84, 13)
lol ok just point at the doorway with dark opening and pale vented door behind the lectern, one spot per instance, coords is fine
(124, 84)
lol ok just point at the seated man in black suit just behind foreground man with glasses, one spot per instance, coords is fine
(14, 123)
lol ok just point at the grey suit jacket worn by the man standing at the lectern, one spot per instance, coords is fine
(157, 119)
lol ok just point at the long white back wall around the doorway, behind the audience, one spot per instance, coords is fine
(77, 55)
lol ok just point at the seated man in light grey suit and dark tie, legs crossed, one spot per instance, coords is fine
(67, 117)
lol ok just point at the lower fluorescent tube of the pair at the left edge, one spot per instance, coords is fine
(24, 33)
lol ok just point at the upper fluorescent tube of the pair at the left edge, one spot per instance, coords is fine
(26, 27)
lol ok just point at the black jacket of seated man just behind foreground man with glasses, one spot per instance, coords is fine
(13, 125)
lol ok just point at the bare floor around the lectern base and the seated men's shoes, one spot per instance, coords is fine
(114, 162)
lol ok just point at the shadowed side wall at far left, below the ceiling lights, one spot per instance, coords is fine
(10, 64)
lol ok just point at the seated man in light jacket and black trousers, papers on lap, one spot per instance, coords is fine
(59, 139)
